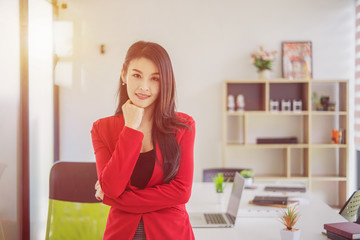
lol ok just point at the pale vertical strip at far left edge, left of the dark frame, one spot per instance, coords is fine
(9, 115)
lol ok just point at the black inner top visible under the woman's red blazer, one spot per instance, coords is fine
(143, 169)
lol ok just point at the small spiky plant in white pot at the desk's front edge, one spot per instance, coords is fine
(289, 218)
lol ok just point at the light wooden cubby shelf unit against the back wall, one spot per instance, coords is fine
(266, 114)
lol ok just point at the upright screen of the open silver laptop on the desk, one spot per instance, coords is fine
(236, 192)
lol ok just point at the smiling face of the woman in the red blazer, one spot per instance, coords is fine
(143, 82)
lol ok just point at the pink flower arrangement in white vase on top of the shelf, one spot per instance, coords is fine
(263, 59)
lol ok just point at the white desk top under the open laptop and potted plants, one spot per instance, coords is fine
(313, 215)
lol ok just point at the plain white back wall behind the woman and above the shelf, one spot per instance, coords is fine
(209, 41)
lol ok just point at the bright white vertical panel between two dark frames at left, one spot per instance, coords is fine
(41, 121)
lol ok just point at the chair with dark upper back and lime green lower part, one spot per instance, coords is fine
(74, 212)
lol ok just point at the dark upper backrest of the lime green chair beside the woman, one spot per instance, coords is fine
(73, 181)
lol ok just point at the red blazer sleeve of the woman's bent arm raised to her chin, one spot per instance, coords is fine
(114, 168)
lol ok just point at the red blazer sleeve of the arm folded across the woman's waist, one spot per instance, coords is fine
(174, 193)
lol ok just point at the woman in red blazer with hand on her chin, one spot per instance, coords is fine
(144, 154)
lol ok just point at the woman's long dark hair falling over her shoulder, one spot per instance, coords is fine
(166, 123)
